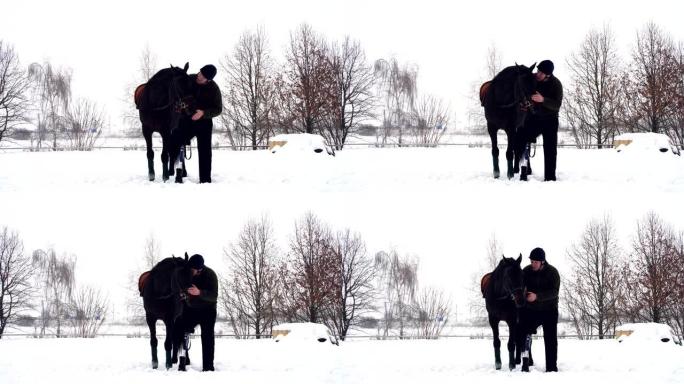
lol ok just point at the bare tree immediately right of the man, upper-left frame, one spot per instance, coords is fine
(251, 89)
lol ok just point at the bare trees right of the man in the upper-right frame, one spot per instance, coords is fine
(609, 95)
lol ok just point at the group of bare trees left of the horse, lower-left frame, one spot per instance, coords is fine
(40, 290)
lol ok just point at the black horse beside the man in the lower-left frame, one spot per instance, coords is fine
(163, 291)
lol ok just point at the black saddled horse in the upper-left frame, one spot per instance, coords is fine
(162, 102)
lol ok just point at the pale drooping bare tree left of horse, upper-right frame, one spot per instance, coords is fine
(397, 87)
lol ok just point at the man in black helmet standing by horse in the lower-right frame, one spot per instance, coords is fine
(542, 282)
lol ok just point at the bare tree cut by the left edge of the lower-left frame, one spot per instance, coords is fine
(16, 272)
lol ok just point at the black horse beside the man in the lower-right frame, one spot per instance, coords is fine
(502, 290)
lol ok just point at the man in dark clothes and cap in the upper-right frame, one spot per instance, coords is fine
(544, 121)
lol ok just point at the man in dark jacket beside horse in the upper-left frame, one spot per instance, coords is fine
(208, 105)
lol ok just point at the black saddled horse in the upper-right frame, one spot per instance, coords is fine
(506, 102)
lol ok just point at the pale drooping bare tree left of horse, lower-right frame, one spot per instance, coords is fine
(399, 281)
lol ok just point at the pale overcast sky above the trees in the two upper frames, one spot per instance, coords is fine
(102, 41)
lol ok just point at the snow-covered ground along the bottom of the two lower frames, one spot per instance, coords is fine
(122, 360)
